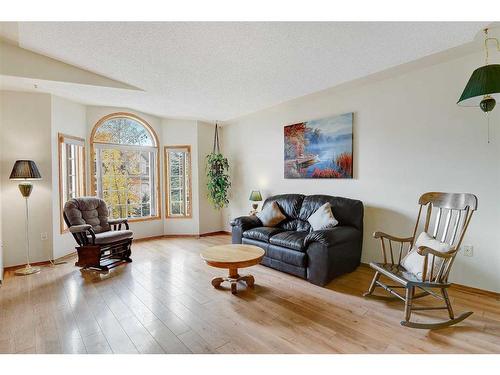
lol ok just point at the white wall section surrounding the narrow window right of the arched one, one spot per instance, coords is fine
(176, 133)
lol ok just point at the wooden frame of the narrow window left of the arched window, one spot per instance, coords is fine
(82, 186)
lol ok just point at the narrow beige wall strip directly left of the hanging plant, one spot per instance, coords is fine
(210, 218)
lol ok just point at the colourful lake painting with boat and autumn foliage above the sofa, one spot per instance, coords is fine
(319, 148)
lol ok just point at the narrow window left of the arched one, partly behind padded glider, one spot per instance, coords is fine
(71, 171)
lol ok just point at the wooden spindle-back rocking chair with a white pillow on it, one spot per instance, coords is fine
(423, 263)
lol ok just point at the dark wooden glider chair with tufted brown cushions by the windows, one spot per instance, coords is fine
(102, 242)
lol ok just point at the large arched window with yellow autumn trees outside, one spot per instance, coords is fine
(125, 168)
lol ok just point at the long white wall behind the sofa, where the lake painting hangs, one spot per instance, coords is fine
(409, 137)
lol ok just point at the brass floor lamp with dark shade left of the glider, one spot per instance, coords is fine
(25, 171)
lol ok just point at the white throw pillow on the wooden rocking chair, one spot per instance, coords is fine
(414, 262)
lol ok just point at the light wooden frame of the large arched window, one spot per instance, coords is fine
(95, 145)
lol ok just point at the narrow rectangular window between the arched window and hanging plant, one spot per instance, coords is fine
(178, 181)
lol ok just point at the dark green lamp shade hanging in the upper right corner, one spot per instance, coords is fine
(483, 81)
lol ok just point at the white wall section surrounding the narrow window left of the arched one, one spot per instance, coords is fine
(68, 118)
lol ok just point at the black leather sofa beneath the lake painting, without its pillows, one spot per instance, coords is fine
(293, 247)
